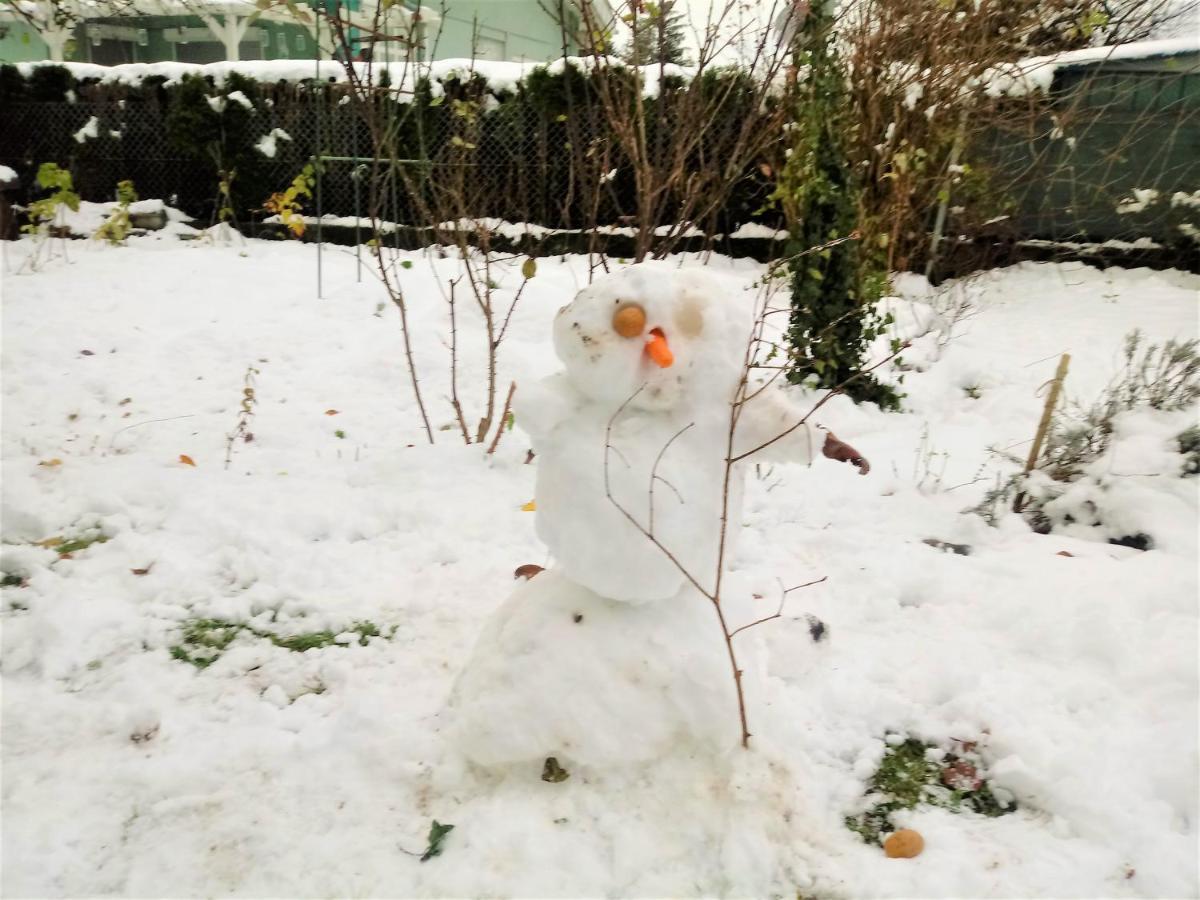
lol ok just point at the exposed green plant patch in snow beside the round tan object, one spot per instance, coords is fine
(914, 773)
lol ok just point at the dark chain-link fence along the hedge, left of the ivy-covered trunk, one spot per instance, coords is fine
(514, 163)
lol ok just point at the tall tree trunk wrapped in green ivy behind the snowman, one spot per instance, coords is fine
(836, 281)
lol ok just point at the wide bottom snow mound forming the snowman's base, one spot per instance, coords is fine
(561, 671)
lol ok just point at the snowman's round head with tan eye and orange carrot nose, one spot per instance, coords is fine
(682, 334)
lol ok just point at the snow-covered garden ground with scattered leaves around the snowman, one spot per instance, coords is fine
(280, 773)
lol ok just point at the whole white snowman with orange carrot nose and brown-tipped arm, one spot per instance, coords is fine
(614, 655)
